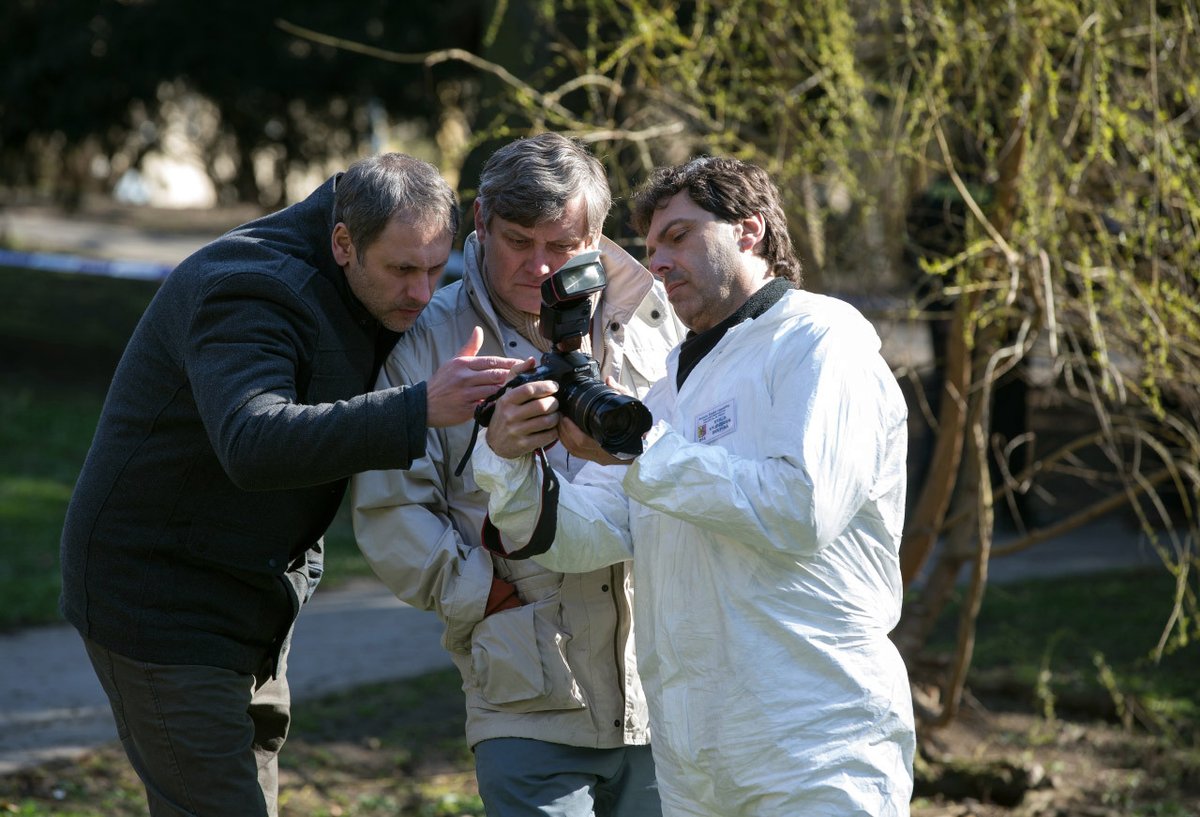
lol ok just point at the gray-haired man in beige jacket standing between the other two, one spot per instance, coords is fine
(555, 707)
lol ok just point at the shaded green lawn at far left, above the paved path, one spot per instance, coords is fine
(61, 338)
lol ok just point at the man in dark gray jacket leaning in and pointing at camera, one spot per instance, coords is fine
(241, 408)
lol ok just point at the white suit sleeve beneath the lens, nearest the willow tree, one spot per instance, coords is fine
(826, 431)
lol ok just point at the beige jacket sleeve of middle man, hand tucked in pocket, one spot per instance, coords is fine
(405, 532)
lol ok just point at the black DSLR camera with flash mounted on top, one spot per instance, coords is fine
(615, 420)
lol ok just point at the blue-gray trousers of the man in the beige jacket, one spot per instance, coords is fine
(523, 778)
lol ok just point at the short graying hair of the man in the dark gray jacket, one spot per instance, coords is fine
(379, 189)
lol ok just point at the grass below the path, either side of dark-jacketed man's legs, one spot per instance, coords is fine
(383, 750)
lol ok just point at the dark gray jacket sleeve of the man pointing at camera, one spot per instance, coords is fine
(247, 346)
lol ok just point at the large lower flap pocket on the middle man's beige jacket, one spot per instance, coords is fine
(519, 662)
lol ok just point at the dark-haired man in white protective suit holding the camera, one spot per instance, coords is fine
(763, 518)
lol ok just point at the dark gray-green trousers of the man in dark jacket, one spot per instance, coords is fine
(205, 741)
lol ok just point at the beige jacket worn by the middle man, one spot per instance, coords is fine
(562, 668)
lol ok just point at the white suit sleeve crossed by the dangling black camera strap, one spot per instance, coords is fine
(593, 513)
